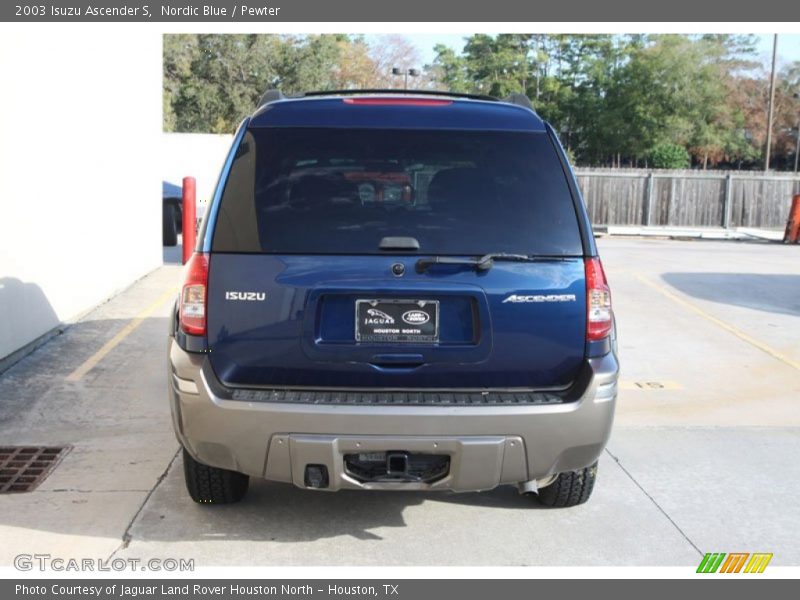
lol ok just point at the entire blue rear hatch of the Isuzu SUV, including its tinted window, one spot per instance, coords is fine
(346, 258)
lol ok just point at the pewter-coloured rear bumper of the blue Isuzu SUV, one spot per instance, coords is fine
(488, 444)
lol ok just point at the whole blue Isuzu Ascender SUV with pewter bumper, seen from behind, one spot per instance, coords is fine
(394, 291)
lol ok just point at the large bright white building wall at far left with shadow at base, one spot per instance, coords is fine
(80, 187)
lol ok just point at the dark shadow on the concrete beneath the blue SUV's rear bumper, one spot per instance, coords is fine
(283, 513)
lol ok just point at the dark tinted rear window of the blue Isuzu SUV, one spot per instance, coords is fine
(341, 191)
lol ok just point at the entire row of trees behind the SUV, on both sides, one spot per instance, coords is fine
(614, 99)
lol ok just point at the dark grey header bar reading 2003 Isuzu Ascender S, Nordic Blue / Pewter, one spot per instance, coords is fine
(462, 11)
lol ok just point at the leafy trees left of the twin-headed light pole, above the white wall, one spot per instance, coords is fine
(212, 81)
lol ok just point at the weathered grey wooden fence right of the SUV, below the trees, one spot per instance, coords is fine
(687, 198)
